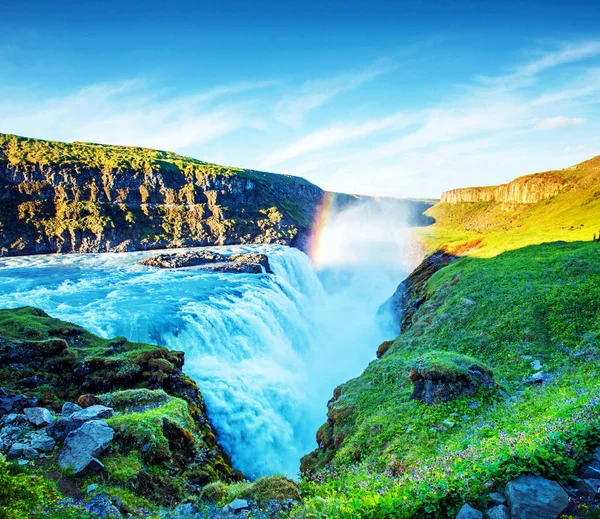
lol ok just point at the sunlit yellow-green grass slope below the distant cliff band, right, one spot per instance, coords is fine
(488, 228)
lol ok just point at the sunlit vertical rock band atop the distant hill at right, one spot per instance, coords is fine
(530, 189)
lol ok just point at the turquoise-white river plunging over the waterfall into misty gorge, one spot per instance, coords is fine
(265, 350)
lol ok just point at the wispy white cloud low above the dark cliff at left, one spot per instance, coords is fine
(130, 113)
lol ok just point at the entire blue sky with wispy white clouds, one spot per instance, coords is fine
(405, 98)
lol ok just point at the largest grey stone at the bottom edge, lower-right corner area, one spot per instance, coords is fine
(534, 497)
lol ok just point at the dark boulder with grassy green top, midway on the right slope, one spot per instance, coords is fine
(443, 376)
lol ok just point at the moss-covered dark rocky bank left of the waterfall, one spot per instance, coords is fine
(164, 446)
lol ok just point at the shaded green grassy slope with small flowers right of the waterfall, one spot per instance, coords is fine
(402, 458)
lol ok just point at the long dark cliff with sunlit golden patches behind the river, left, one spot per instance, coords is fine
(84, 197)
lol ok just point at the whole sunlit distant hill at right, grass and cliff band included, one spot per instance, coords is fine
(483, 221)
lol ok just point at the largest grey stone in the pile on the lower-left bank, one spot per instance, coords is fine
(84, 445)
